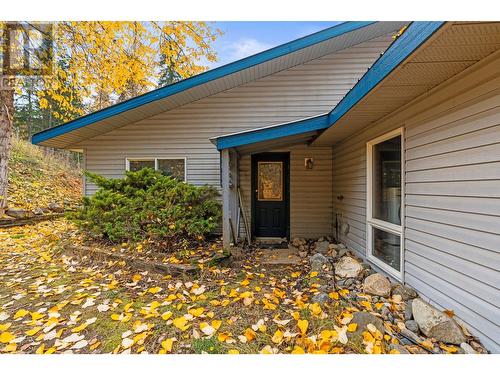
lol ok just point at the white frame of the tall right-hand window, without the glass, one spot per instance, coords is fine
(372, 222)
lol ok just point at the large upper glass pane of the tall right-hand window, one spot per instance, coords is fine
(387, 180)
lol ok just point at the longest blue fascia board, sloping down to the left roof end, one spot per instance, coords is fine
(200, 79)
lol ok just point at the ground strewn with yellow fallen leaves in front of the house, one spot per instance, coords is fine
(53, 302)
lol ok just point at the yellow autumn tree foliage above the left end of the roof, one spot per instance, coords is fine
(100, 63)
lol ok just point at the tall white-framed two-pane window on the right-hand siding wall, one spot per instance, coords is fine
(384, 202)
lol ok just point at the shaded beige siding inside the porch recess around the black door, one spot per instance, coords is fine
(310, 191)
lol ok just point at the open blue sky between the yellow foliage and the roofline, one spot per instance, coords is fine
(242, 39)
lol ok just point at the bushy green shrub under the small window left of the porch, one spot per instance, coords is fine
(149, 205)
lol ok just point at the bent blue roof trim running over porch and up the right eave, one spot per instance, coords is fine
(412, 38)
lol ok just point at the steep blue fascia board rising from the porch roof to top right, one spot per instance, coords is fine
(412, 38)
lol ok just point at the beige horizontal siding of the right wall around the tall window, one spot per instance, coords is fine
(452, 196)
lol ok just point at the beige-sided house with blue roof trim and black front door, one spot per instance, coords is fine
(396, 155)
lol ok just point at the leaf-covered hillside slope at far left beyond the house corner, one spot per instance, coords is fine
(39, 180)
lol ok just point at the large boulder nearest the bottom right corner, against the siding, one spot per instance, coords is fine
(436, 324)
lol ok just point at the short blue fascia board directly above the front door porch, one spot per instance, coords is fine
(278, 131)
